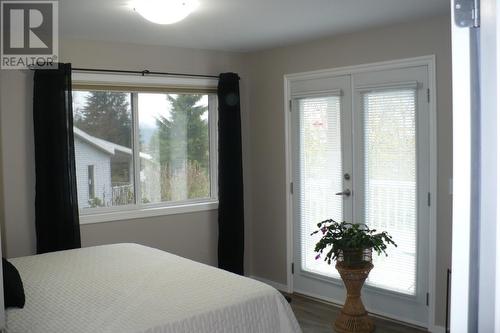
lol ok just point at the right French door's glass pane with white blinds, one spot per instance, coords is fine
(390, 184)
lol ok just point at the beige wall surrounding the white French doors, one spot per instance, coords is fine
(267, 128)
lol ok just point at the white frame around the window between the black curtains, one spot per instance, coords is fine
(141, 210)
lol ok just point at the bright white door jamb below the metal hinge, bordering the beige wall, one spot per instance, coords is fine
(464, 114)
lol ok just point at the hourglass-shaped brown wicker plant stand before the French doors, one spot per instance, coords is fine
(353, 317)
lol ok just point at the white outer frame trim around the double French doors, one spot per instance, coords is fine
(428, 61)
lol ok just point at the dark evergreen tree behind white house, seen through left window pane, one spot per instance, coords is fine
(107, 115)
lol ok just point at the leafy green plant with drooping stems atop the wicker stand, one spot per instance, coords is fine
(349, 237)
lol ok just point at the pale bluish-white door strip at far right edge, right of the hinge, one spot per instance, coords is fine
(488, 318)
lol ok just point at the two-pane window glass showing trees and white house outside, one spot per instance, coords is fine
(140, 149)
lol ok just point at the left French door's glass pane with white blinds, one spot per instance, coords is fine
(320, 174)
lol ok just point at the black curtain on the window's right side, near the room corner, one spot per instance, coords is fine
(231, 221)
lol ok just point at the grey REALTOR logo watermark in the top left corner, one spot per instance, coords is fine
(29, 34)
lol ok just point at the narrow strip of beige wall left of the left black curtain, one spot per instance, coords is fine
(18, 162)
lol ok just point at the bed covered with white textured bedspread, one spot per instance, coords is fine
(132, 288)
